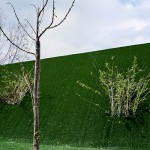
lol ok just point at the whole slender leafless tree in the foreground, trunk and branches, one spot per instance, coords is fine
(38, 33)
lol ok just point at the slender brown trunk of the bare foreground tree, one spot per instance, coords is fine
(36, 97)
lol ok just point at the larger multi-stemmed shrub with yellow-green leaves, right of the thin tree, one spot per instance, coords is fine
(124, 89)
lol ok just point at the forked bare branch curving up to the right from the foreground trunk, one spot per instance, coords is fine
(50, 26)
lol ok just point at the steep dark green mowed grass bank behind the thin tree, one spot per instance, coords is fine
(66, 118)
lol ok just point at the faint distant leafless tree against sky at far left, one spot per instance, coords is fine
(8, 52)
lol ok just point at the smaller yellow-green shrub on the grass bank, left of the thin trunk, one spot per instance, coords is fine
(14, 86)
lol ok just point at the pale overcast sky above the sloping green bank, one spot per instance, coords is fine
(92, 24)
